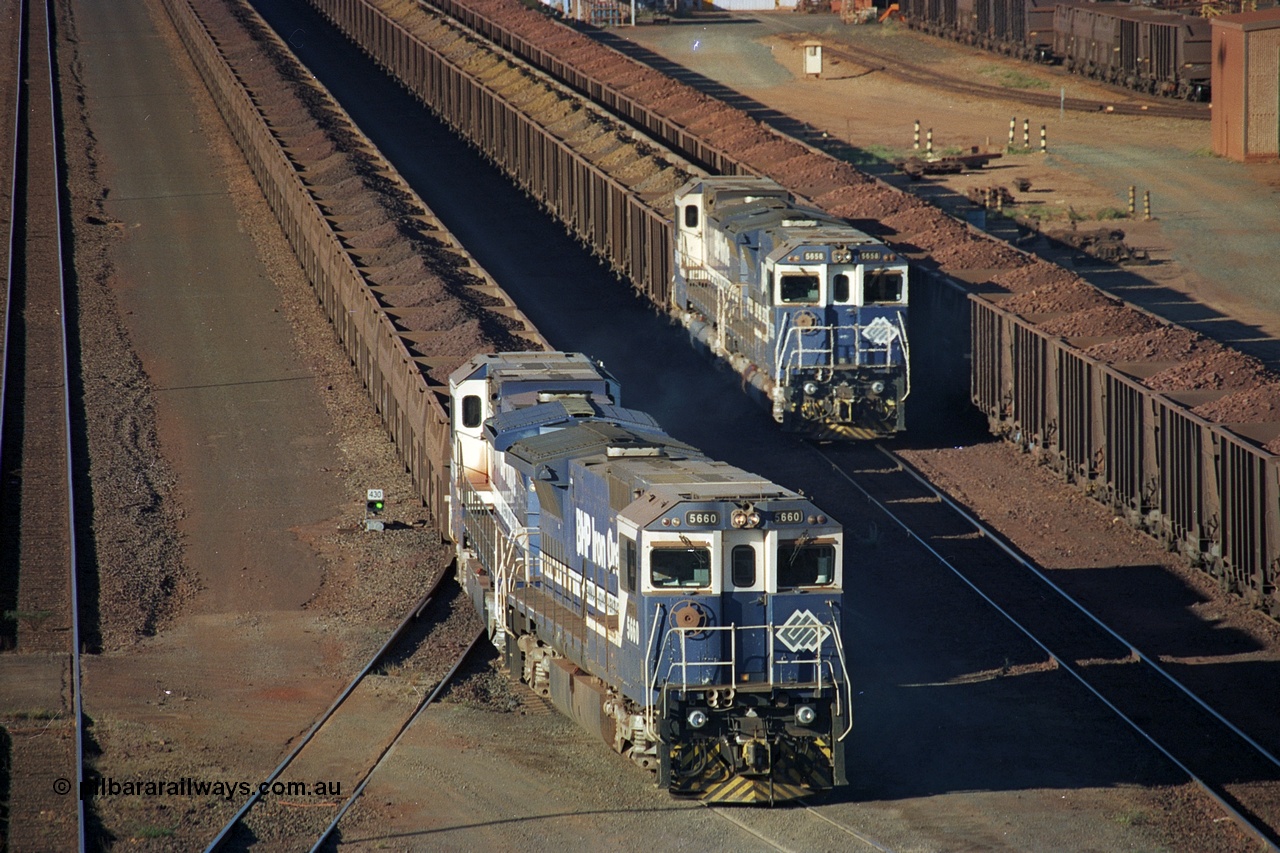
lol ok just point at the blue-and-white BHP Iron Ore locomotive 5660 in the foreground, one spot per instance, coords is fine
(684, 610)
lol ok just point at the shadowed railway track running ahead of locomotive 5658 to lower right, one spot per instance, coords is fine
(1233, 768)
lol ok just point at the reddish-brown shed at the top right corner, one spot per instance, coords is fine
(1246, 81)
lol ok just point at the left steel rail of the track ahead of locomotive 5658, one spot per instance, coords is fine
(1241, 820)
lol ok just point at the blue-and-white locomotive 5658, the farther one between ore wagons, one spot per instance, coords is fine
(808, 311)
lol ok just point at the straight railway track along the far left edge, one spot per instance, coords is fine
(38, 466)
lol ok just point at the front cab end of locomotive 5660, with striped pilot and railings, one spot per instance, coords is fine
(739, 603)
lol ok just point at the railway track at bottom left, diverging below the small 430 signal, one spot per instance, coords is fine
(323, 777)
